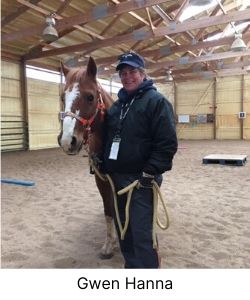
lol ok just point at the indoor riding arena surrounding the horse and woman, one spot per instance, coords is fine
(198, 55)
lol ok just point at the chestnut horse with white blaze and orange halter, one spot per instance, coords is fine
(85, 104)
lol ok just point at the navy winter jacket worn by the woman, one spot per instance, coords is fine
(148, 135)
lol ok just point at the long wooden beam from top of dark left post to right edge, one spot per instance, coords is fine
(141, 35)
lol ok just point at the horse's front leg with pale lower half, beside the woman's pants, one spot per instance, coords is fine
(107, 250)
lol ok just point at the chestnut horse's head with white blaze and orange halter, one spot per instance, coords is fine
(82, 103)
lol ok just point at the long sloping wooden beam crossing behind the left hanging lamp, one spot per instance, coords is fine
(92, 15)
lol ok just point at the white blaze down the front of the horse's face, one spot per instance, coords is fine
(69, 122)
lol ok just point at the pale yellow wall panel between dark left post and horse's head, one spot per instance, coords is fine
(43, 108)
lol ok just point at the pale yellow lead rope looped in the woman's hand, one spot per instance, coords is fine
(129, 190)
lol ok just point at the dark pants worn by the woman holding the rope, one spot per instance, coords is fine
(137, 246)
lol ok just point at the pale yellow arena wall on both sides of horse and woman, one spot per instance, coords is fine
(204, 109)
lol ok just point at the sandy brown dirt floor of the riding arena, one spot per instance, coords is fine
(59, 222)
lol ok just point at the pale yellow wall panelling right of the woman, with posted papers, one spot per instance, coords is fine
(198, 98)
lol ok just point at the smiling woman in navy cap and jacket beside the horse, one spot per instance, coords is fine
(140, 144)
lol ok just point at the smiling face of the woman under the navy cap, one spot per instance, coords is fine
(131, 78)
